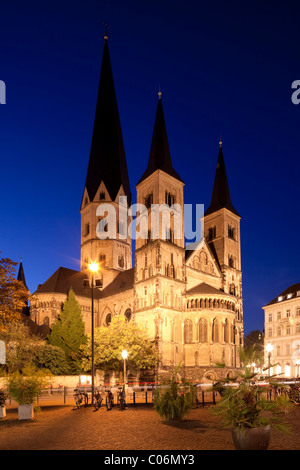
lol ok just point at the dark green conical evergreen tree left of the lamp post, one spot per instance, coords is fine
(68, 332)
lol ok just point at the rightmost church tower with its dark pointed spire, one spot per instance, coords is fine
(222, 231)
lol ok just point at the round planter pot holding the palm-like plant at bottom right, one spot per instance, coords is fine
(251, 438)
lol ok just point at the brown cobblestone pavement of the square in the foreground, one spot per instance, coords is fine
(136, 428)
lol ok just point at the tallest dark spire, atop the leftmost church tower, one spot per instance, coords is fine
(107, 161)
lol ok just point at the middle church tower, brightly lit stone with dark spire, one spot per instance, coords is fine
(160, 252)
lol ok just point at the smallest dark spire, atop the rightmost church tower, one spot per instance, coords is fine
(220, 196)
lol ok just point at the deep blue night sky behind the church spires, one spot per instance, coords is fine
(225, 68)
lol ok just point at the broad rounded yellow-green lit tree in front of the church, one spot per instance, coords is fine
(109, 343)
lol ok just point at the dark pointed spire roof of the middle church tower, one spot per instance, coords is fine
(160, 157)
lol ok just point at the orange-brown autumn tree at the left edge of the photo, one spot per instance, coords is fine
(13, 294)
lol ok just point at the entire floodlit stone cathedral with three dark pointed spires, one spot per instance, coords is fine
(189, 301)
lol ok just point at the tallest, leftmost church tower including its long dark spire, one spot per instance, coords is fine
(104, 235)
